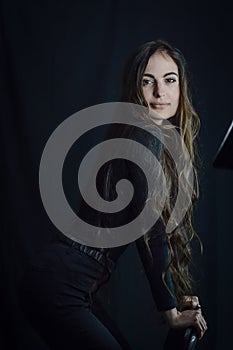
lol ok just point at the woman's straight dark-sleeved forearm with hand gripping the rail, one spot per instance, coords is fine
(164, 295)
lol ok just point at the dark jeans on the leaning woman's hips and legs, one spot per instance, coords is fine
(55, 297)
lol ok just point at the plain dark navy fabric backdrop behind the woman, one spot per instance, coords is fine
(58, 57)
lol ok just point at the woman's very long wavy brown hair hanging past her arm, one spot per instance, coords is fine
(186, 122)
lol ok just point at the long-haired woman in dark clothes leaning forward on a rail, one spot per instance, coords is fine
(57, 290)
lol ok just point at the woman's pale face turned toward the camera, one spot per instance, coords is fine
(160, 86)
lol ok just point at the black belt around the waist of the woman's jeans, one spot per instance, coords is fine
(90, 251)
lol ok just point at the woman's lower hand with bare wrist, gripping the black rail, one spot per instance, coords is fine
(187, 318)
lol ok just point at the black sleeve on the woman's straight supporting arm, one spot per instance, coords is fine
(156, 263)
